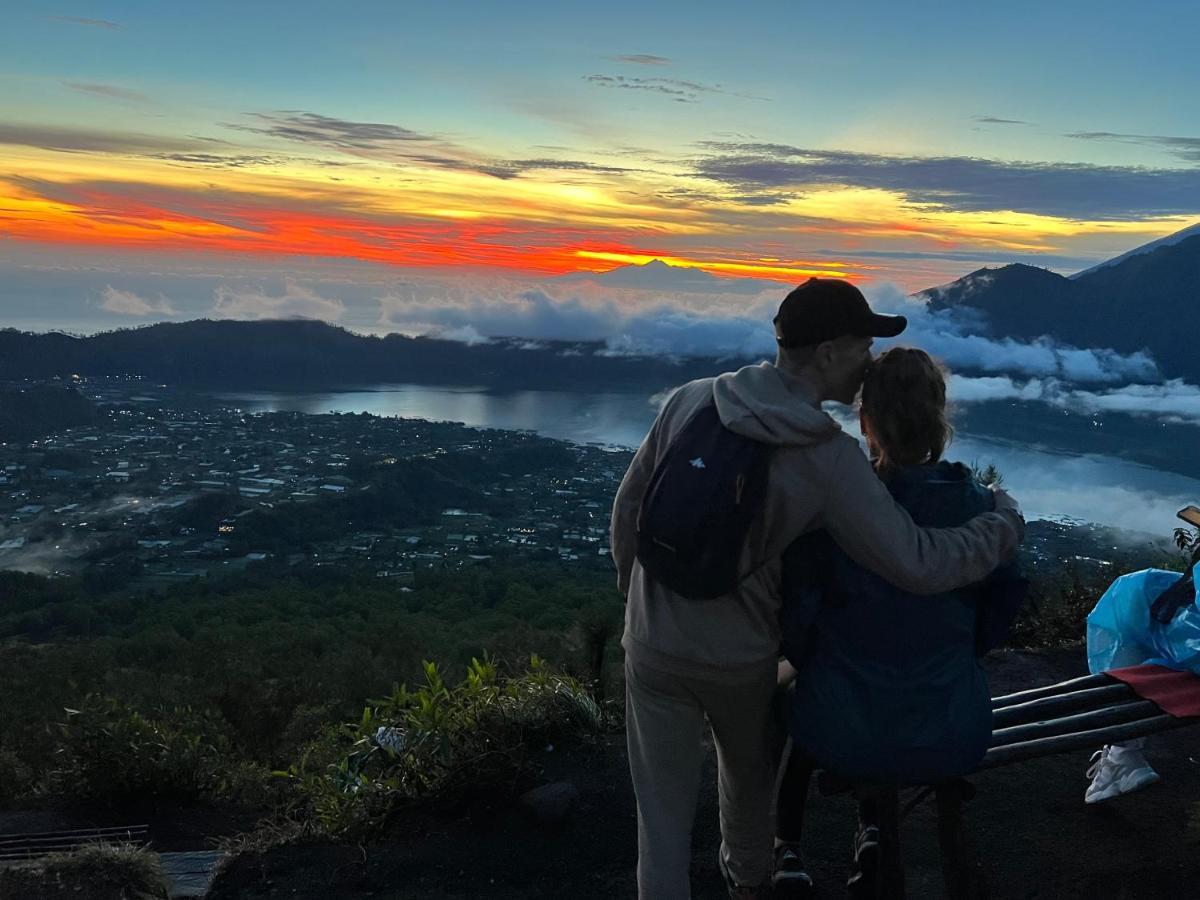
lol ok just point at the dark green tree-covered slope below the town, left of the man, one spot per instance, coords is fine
(267, 662)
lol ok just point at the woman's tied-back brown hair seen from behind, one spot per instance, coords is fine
(904, 410)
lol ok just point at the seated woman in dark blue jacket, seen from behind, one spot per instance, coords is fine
(889, 686)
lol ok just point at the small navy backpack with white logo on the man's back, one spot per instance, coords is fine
(699, 507)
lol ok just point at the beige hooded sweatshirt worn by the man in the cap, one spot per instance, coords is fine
(819, 478)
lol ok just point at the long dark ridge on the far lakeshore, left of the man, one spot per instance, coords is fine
(302, 353)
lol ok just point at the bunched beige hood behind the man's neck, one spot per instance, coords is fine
(766, 404)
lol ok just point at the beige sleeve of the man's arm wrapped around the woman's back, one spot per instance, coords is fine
(880, 536)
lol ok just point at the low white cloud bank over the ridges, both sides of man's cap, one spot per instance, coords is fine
(689, 323)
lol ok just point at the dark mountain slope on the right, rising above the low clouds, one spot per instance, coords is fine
(1148, 301)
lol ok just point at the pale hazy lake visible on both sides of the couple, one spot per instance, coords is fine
(1054, 476)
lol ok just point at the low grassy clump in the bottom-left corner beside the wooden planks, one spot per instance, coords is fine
(100, 872)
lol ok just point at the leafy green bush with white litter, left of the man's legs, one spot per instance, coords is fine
(437, 746)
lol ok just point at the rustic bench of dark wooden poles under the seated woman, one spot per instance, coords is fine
(1078, 715)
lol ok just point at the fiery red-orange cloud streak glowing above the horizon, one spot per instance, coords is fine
(185, 221)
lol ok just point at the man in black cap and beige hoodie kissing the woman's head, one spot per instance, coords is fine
(688, 659)
